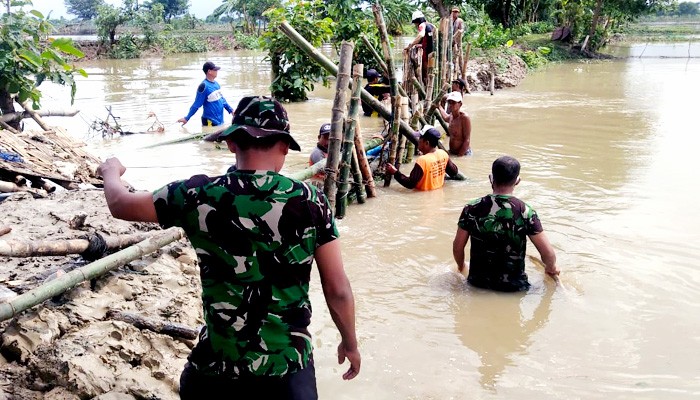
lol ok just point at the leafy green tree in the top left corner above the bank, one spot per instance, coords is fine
(28, 57)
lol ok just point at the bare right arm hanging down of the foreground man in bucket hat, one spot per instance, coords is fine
(341, 303)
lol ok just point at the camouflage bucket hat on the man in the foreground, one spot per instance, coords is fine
(259, 122)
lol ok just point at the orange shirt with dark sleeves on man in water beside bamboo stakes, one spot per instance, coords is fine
(429, 171)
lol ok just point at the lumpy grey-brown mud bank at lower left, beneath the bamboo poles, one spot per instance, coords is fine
(67, 348)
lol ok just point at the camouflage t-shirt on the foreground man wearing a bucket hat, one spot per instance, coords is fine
(255, 233)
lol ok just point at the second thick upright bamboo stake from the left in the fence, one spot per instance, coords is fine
(349, 137)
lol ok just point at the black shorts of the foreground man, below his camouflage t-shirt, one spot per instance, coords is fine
(297, 386)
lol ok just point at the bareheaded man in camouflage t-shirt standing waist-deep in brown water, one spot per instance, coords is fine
(498, 225)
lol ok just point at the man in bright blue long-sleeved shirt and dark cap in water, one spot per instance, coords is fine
(209, 97)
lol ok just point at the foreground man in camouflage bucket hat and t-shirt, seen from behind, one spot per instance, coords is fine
(256, 234)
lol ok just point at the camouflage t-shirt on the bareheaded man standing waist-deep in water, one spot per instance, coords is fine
(498, 227)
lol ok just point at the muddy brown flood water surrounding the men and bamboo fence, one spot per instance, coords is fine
(609, 160)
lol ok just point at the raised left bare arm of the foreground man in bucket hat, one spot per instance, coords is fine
(123, 204)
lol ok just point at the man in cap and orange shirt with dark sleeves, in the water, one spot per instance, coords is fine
(429, 171)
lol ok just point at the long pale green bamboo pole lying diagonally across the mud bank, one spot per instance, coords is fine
(93, 270)
